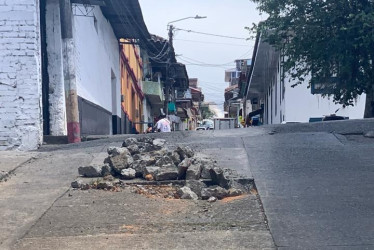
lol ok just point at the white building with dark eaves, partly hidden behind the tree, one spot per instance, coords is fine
(283, 103)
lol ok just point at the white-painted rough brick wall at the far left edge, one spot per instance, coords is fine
(20, 75)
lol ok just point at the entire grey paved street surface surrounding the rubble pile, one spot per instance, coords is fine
(315, 182)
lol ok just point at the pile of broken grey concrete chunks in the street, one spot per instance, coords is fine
(196, 175)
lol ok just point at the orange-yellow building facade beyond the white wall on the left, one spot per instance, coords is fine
(131, 93)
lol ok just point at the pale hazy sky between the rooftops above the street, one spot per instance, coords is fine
(212, 54)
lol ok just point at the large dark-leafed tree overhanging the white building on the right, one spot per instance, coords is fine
(331, 40)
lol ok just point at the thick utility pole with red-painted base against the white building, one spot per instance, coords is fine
(71, 97)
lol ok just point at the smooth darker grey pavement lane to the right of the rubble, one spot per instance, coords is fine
(315, 181)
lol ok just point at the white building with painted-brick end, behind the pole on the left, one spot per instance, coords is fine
(32, 92)
